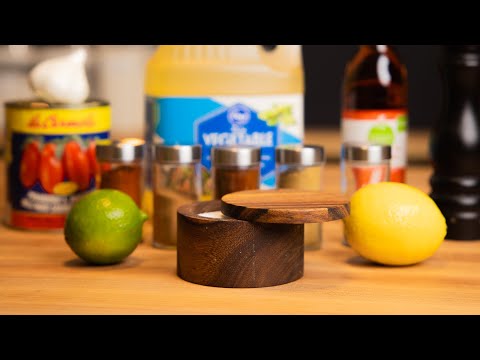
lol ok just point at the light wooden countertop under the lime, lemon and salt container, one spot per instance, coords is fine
(40, 275)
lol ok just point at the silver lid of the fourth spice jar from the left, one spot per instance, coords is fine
(307, 155)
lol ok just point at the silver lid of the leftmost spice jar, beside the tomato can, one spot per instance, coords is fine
(129, 149)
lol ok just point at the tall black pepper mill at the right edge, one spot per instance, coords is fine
(455, 144)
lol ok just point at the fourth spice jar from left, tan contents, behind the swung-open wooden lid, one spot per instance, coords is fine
(302, 167)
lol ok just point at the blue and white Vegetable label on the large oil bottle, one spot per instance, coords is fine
(265, 121)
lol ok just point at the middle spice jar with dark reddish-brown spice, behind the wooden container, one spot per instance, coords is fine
(234, 169)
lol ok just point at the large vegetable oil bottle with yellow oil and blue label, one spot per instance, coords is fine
(219, 95)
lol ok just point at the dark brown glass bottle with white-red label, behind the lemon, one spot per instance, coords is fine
(375, 103)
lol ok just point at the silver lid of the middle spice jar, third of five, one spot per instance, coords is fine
(236, 156)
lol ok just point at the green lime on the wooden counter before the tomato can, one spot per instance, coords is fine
(104, 227)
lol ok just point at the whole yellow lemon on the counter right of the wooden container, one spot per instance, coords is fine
(394, 224)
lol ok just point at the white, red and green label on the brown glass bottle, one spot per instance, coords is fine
(387, 127)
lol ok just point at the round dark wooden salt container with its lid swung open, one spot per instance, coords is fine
(261, 245)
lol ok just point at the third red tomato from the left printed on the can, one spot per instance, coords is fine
(76, 165)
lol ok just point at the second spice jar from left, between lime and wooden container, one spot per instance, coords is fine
(176, 181)
